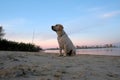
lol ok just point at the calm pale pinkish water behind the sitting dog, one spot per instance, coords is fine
(99, 51)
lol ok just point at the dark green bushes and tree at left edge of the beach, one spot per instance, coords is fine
(7, 45)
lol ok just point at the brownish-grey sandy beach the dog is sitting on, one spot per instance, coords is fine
(44, 66)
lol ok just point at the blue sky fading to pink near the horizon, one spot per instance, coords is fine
(87, 22)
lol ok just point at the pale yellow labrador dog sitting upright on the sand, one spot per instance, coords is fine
(64, 41)
